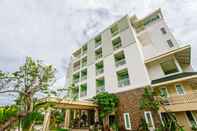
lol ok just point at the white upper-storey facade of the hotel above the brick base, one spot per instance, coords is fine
(124, 65)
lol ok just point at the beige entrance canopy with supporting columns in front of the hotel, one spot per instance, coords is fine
(68, 105)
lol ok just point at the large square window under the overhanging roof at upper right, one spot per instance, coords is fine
(169, 67)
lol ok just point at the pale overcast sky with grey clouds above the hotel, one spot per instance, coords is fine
(50, 30)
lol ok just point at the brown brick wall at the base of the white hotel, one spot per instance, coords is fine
(129, 102)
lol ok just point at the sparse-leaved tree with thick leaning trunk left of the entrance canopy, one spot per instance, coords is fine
(31, 78)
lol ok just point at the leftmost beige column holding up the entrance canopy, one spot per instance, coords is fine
(46, 120)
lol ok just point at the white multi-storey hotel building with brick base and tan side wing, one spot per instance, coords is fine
(132, 54)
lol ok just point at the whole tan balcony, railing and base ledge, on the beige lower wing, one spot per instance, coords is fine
(180, 103)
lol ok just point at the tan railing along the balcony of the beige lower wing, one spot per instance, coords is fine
(187, 98)
